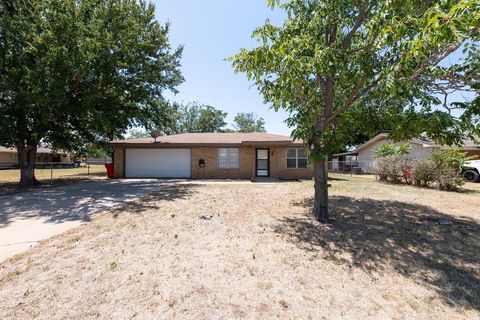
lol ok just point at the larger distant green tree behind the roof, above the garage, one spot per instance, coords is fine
(196, 117)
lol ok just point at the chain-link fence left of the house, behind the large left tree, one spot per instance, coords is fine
(84, 169)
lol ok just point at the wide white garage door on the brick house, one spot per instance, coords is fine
(157, 163)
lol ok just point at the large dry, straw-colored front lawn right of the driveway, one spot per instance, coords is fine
(252, 251)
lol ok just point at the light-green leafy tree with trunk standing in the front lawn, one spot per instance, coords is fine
(330, 58)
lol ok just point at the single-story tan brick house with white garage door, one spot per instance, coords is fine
(212, 155)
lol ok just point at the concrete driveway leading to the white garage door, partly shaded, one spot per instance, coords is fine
(28, 217)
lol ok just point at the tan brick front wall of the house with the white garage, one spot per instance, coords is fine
(246, 170)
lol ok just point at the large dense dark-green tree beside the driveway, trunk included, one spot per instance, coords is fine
(79, 71)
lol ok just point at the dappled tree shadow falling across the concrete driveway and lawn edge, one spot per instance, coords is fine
(84, 201)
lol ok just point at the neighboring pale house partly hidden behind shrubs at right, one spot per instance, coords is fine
(364, 155)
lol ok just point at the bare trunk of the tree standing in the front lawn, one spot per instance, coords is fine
(320, 208)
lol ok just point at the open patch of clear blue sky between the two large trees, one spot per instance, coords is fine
(210, 31)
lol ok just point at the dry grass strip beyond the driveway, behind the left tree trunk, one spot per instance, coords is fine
(9, 177)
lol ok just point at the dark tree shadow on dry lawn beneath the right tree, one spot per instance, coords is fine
(439, 250)
